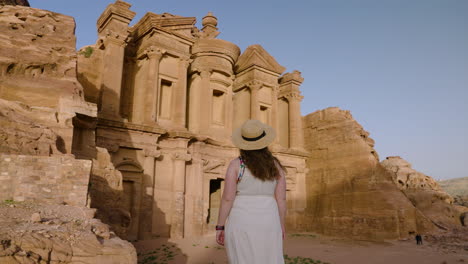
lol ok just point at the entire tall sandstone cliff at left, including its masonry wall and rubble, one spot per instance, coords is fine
(42, 115)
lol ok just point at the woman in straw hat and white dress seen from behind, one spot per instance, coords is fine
(254, 199)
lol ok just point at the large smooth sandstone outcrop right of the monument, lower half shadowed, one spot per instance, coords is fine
(348, 192)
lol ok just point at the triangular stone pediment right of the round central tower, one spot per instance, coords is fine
(256, 55)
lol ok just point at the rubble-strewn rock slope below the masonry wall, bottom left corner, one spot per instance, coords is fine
(63, 234)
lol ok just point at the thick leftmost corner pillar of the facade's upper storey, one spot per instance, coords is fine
(111, 78)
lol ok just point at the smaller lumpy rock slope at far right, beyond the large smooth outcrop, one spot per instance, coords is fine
(424, 192)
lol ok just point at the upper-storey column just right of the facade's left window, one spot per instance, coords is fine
(180, 106)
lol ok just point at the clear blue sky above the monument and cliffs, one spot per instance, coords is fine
(399, 66)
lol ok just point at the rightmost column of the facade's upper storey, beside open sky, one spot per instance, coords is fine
(296, 138)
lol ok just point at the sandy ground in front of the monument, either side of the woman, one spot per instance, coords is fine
(327, 250)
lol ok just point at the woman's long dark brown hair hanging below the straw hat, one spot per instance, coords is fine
(262, 163)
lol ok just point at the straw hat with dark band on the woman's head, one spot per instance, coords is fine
(253, 134)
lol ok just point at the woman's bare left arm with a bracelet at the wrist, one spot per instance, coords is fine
(229, 193)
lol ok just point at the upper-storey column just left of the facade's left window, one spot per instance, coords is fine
(152, 86)
